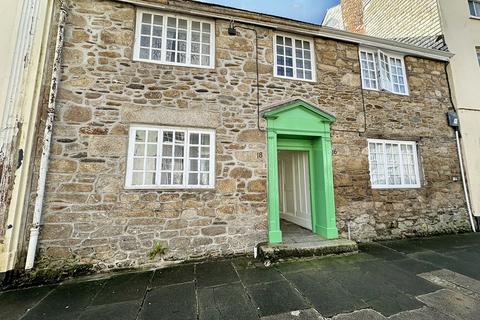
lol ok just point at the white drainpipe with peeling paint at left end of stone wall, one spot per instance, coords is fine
(47, 136)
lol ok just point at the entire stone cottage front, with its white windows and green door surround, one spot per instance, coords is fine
(157, 134)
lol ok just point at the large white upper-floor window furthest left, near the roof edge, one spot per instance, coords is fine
(175, 40)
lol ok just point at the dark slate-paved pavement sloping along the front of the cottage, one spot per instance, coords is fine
(436, 278)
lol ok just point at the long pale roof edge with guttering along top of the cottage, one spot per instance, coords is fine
(303, 28)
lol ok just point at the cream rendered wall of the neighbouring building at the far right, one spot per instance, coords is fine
(462, 35)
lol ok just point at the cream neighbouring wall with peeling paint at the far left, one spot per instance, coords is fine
(23, 110)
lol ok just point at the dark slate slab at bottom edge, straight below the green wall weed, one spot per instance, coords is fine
(175, 302)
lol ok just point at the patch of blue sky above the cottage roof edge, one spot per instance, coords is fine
(304, 10)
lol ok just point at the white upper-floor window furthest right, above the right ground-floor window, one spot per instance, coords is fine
(383, 71)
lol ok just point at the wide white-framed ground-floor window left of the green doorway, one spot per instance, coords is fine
(170, 158)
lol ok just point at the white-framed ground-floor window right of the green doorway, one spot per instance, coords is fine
(393, 164)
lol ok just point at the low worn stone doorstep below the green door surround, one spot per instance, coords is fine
(275, 252)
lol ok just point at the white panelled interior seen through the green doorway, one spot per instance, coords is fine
(294, 187)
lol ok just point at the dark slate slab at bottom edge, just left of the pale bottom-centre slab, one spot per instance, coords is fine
(229, 302)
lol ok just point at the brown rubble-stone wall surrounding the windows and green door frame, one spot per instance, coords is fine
(90, 218)
